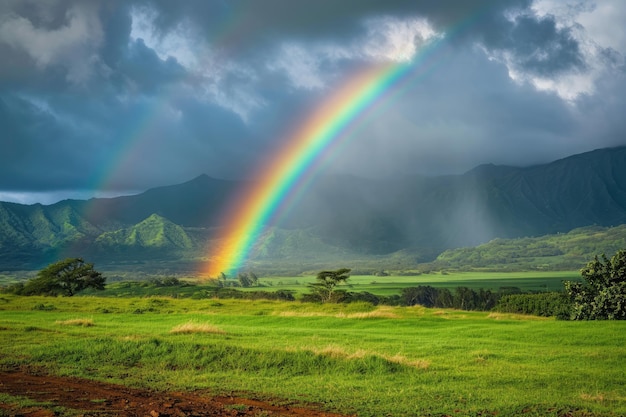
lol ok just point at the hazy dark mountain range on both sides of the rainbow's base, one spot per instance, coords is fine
(338, 217)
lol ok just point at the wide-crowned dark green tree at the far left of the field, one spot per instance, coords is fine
(65, 277)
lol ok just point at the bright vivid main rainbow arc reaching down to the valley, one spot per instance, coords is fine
(292, 169)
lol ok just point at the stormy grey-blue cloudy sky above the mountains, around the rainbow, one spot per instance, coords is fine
(104, 98)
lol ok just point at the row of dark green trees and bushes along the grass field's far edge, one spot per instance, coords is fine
(600, 296)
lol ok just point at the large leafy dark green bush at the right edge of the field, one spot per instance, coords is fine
(603, 294)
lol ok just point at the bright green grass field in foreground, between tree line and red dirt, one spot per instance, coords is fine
(353, 358)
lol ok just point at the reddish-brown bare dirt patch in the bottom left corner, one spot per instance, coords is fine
(90, 398)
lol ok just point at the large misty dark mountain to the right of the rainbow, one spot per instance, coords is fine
(464, 210)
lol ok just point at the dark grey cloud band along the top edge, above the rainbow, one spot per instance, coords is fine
(240, 27)
